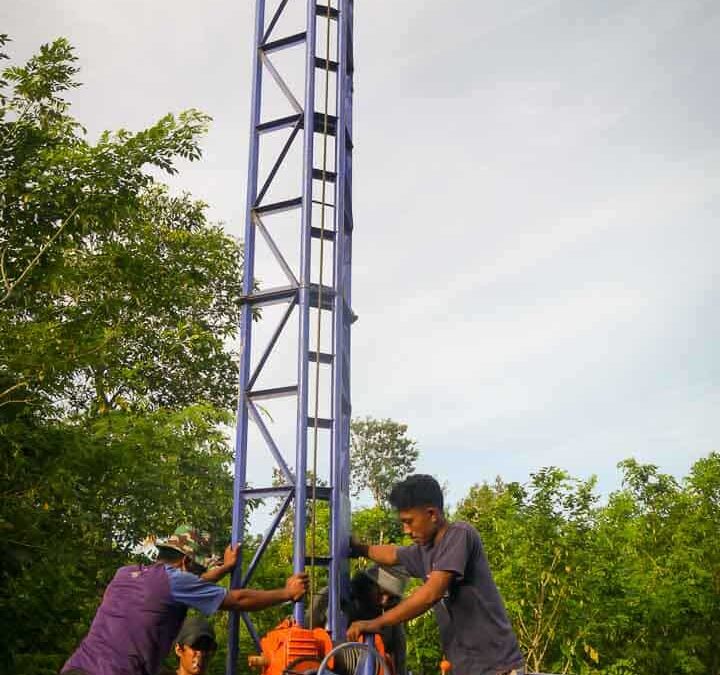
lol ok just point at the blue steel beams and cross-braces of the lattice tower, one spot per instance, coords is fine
(301, 294)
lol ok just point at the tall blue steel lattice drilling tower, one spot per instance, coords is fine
(314, 132)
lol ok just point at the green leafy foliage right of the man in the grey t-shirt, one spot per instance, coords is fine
(627, 587)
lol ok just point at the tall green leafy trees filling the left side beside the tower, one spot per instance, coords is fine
(116, 302)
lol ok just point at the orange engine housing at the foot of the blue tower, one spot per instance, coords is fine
(288, 647)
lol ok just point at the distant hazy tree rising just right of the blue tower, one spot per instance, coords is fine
(381, 454)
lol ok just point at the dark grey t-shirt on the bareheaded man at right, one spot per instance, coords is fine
(474, 627)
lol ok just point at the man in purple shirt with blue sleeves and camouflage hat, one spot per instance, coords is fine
(144, 606)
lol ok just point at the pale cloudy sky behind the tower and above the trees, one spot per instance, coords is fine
(537, 189)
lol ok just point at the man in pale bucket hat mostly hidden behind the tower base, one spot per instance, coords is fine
(372, 591)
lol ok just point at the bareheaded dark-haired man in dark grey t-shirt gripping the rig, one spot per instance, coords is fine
(474, 628)
